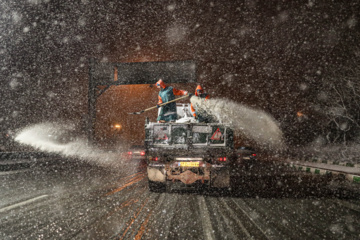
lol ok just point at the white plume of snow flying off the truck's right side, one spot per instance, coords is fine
(255, 124)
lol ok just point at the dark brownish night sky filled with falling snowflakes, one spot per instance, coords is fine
(273, 55)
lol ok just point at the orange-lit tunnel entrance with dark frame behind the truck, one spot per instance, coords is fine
(128, 85)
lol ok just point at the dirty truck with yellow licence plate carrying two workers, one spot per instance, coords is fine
(188, 155)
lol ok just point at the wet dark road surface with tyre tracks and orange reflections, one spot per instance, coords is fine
(75, 200)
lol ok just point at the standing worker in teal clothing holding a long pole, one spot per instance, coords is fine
(168, 112)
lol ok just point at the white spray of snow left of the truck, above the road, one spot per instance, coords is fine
(46, 137)
